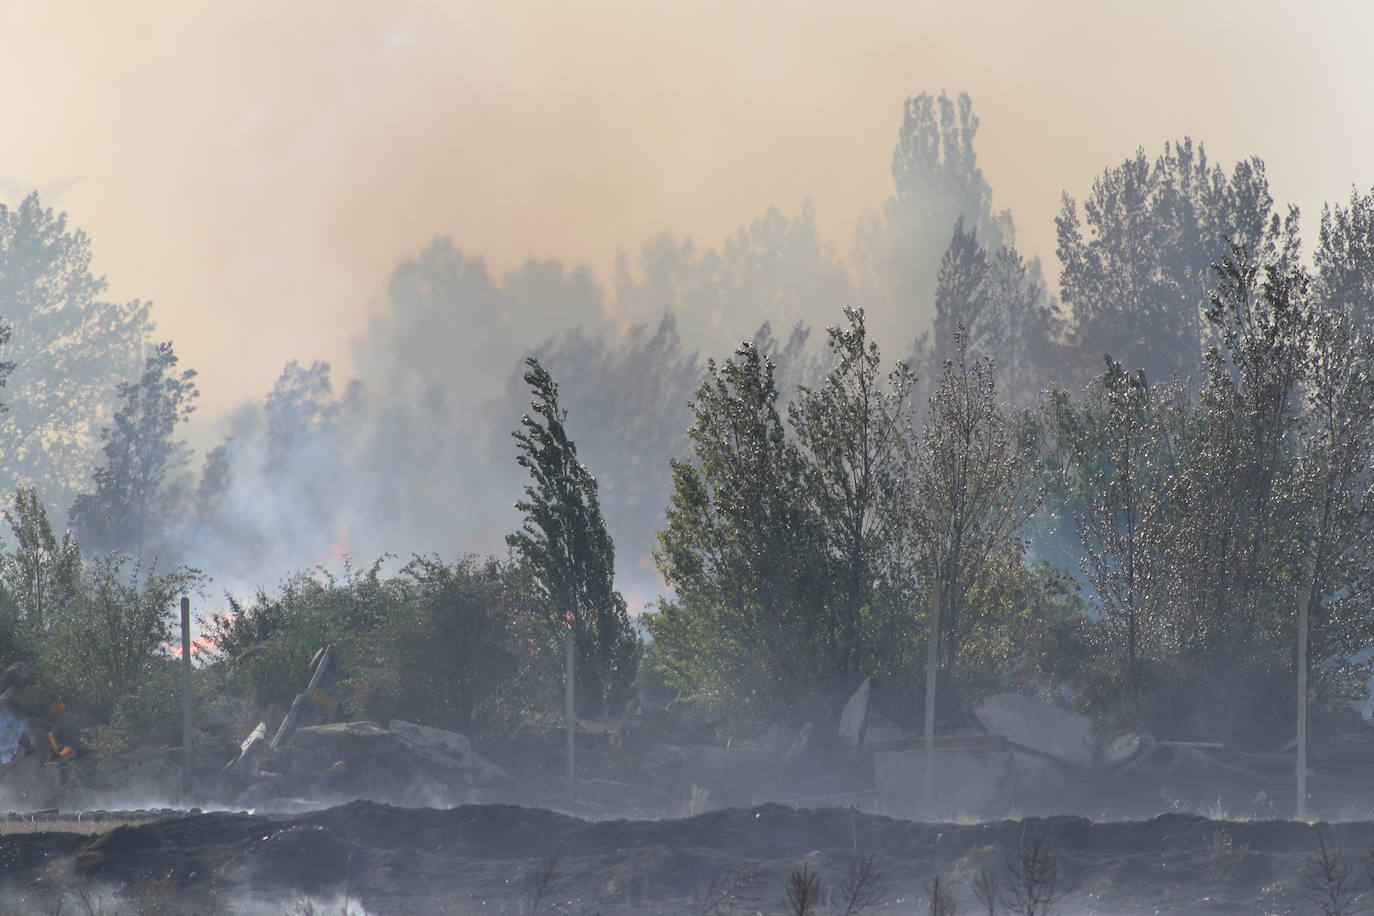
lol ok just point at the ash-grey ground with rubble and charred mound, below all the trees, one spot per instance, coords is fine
(1039, 808)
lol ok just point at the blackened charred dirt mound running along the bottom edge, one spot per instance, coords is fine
(508, 859)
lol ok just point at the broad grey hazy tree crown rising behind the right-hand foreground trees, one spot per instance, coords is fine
(1137, 278)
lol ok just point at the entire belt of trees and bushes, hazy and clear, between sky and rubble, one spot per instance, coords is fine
(1119, 496)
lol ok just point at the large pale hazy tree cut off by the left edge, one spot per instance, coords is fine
(69, 351)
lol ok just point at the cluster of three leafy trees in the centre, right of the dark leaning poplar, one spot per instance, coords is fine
(803, 564)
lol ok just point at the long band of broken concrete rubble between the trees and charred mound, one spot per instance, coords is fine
(1022, 756)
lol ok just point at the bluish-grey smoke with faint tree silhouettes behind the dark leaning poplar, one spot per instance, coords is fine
(414, 455)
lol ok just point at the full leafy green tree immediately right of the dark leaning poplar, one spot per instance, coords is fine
(748, 631)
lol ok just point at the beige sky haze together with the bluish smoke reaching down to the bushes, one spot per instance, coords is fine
(424, 194)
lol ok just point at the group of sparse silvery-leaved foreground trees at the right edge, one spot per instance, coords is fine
(1206, 518)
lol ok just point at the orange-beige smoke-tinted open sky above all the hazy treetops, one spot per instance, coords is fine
(258, 170)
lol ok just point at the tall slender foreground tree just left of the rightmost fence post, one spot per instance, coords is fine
(1239, 528)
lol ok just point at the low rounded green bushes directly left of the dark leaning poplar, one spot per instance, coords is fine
(447, 645)
